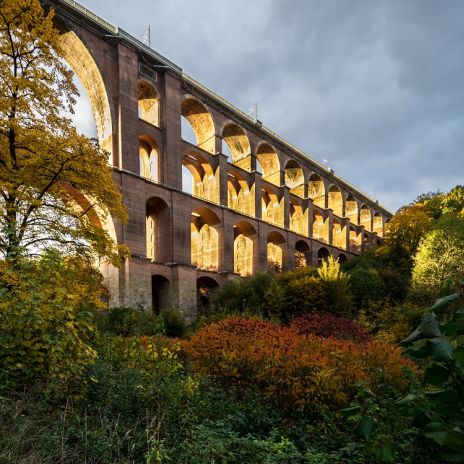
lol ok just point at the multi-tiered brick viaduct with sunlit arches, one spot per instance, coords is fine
(235, 200)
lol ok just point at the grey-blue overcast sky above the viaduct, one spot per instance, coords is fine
(374, 87)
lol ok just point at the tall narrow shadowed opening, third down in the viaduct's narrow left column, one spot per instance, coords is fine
(158, 230)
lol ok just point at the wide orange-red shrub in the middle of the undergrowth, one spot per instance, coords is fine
(296, 371)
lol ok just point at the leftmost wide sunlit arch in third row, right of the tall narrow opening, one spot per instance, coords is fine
(204, 228)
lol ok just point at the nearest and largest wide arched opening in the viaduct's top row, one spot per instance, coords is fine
(201, 122)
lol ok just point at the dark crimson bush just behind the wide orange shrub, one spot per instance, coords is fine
(327, 325)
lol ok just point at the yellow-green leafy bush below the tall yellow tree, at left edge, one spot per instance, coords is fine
(46, 325)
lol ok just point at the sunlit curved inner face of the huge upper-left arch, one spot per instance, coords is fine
(79, 58)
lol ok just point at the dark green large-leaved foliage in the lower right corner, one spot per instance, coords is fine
(439, 408)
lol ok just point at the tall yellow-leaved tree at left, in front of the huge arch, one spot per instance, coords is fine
(52, 179)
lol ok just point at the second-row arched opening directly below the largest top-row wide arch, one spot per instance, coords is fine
(199, 179)
